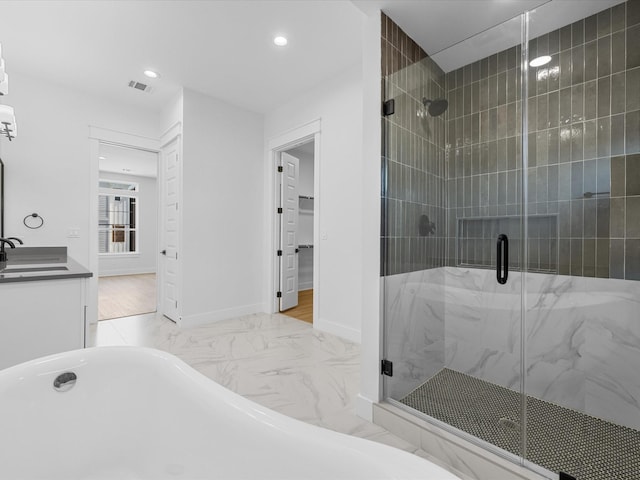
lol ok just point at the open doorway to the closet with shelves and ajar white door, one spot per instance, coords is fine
(296, 246)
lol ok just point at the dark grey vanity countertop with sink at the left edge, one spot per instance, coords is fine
(39, 265)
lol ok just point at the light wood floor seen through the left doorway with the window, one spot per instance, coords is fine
(126, 295)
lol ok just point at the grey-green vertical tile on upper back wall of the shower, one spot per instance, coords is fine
(583, 111)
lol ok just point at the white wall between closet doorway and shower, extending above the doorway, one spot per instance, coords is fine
(338, 103)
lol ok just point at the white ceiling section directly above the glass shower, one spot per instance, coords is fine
(458, 32)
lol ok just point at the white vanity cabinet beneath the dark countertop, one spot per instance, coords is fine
(41, 317)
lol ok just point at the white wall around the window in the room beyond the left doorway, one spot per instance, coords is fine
(145, 261)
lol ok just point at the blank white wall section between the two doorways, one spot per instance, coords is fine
(222, 211)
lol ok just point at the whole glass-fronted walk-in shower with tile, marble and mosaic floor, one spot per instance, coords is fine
(539, 370)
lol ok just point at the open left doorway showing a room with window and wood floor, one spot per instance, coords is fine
(127, 231)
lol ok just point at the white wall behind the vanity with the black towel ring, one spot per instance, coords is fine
(47, 166)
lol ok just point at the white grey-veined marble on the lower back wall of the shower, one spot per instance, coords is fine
(582, 338)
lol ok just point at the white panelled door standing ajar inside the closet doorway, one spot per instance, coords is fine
(289, 232)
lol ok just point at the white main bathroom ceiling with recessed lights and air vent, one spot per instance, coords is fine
(221, 48)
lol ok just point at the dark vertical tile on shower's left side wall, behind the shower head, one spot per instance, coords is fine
(414, 155)
